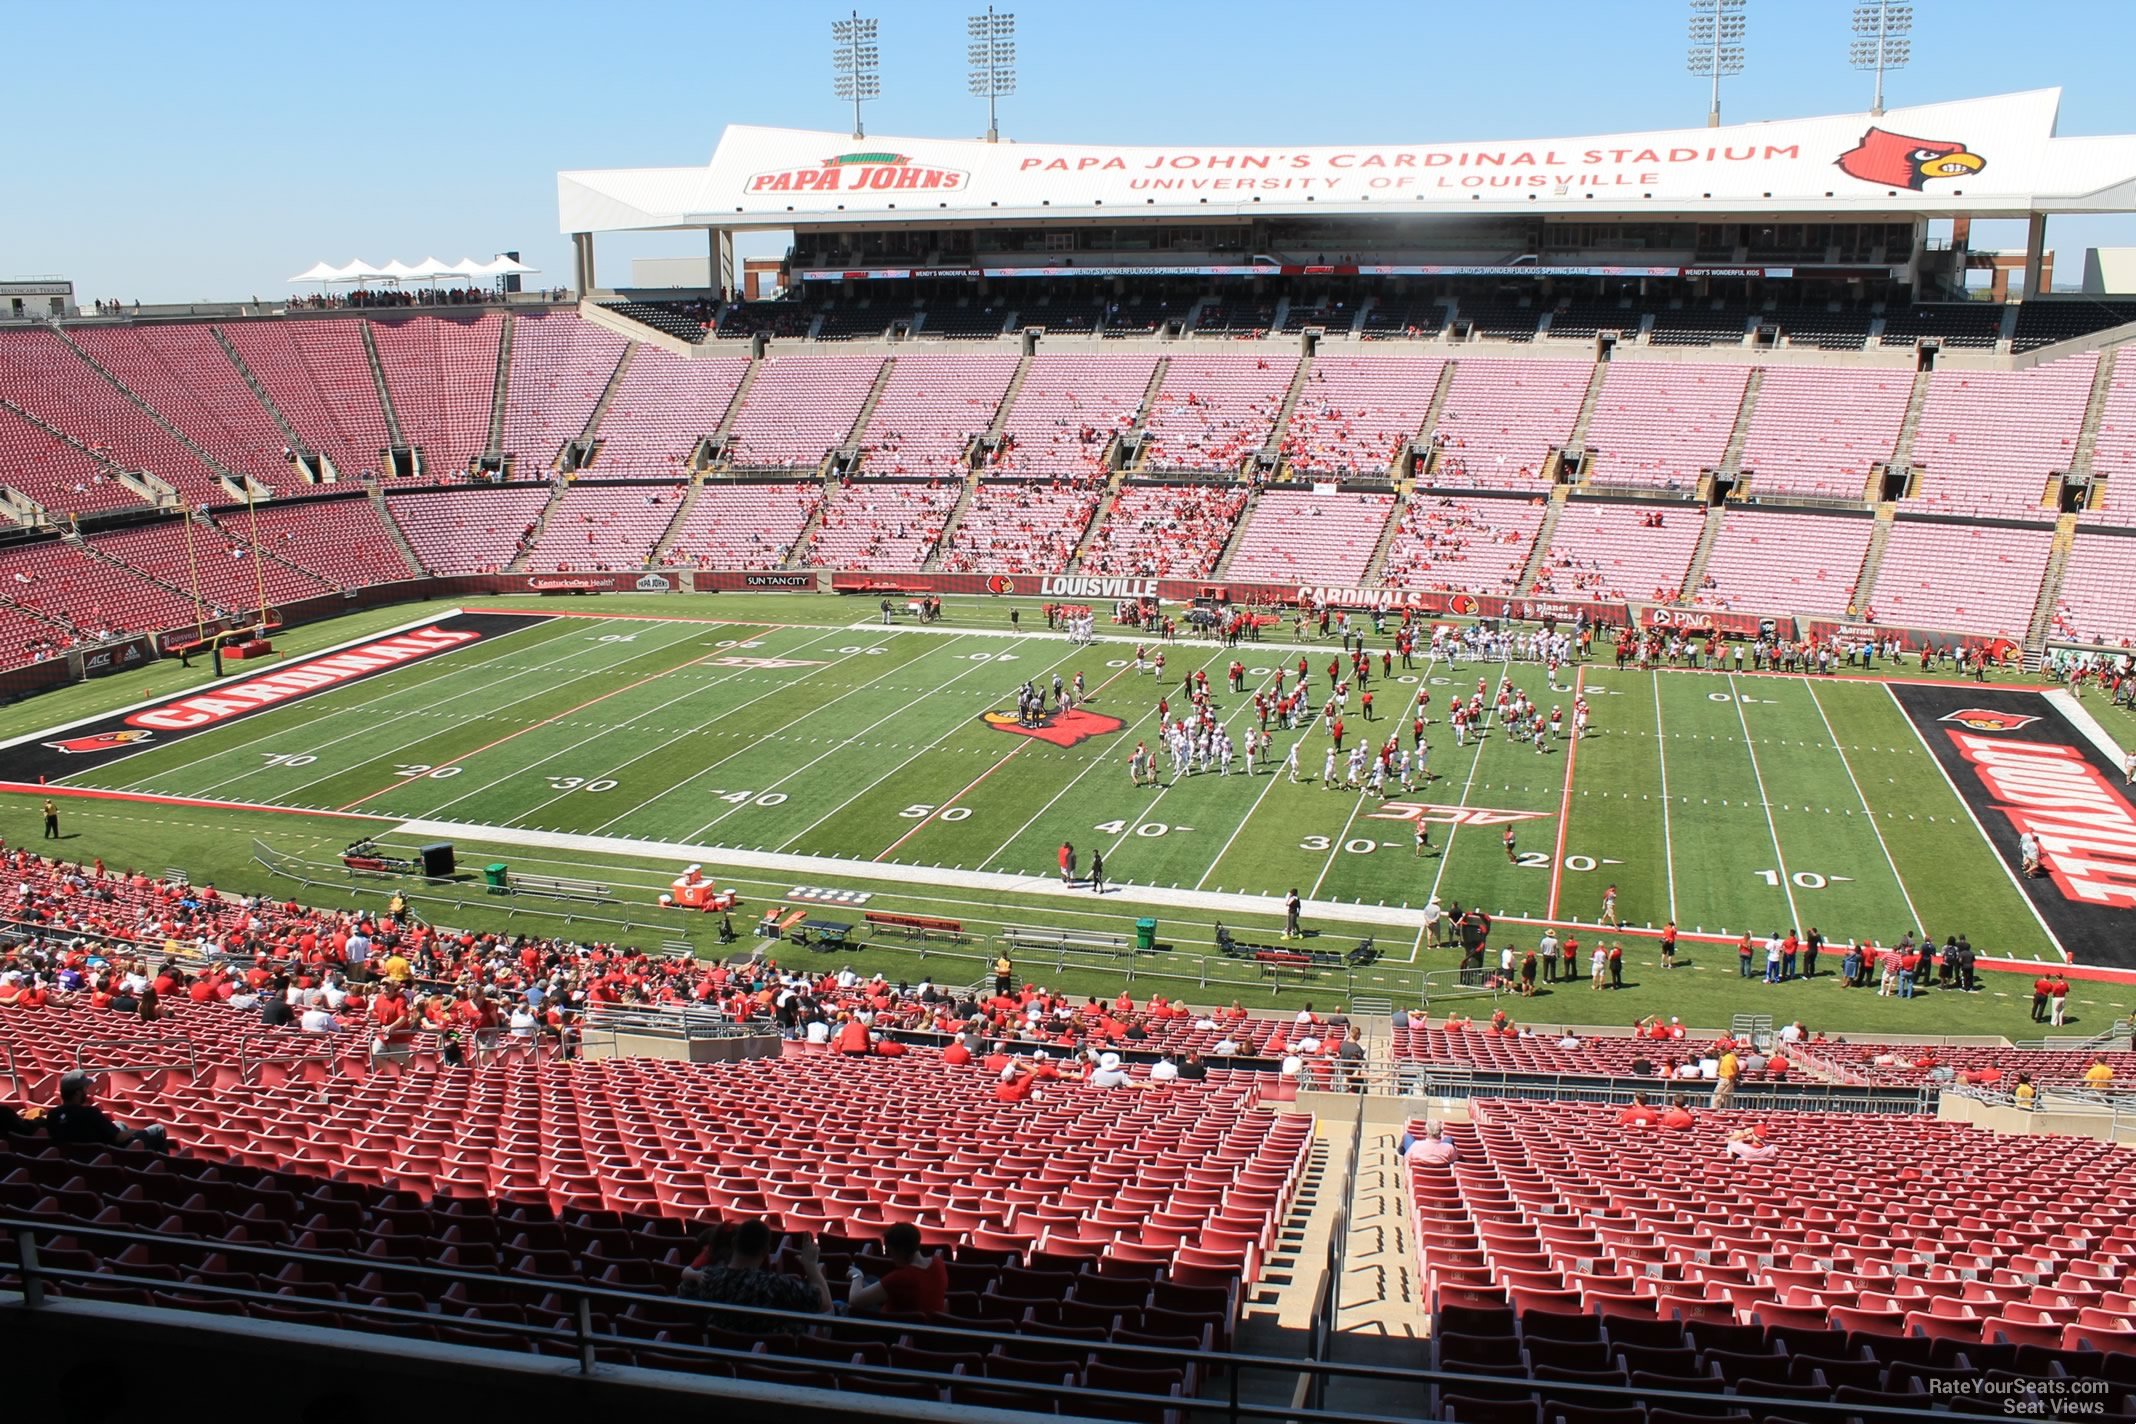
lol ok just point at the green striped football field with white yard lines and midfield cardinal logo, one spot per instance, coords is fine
(1725, 804)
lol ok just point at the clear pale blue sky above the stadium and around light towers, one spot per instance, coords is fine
(206, 153)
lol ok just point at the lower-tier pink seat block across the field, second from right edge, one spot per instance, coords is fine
(1964, 577)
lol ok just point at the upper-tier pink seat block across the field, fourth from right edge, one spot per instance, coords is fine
(1663, 424)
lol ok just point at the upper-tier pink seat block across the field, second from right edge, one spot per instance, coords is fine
(1990, 441)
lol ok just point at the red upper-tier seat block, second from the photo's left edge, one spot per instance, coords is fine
(191, 383)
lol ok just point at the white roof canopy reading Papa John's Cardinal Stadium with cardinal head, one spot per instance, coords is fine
(1981, 157)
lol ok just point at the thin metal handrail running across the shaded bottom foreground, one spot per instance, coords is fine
(586, 1342)
